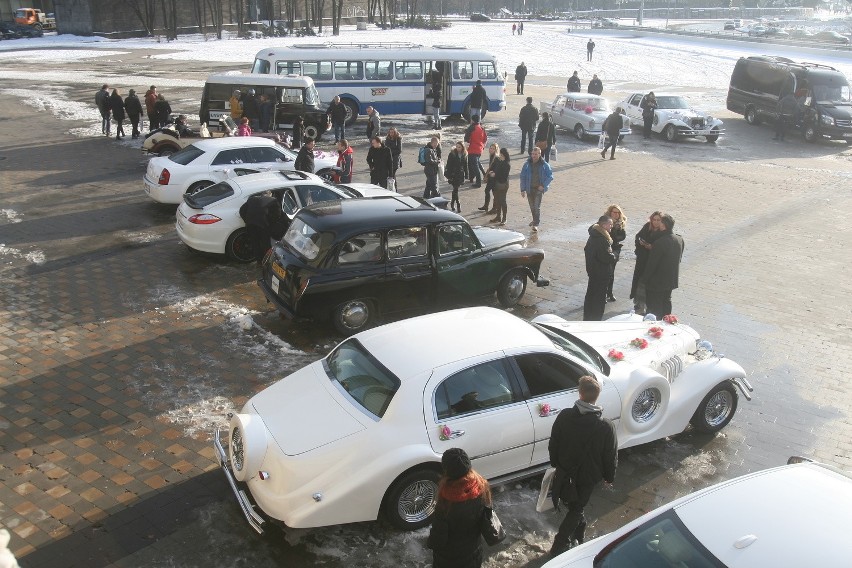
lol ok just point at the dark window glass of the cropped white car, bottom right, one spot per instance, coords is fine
(662, 541)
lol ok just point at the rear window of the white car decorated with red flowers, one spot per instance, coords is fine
(366, 380)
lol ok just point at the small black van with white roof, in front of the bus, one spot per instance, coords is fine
(293, 95)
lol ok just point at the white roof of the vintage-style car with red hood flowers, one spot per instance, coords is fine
(483, 330)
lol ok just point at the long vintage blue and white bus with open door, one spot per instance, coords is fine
(394, 78)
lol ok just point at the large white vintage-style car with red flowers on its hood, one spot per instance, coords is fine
(361, 432)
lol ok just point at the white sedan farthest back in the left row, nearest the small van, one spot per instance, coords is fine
(209, 160)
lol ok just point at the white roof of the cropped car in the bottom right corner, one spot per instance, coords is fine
(799, 514)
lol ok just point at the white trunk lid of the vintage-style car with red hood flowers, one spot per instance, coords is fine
(302, 411)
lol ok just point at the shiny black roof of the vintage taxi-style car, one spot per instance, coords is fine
(364, 214)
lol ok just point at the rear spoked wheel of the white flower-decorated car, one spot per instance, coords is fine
(410, 501)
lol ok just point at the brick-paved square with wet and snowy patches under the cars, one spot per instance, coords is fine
(121, 350)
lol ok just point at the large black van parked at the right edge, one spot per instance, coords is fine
(758, 83)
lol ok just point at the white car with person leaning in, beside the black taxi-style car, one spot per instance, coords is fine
(209, 220)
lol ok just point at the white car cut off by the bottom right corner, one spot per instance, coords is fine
(794, 515)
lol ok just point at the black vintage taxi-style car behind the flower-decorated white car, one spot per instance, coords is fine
(354, 260)
